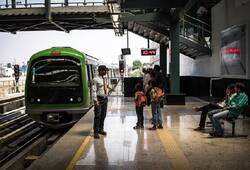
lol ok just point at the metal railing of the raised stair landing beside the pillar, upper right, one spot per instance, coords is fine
(195, 30)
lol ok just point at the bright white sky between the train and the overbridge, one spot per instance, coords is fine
(102, 44)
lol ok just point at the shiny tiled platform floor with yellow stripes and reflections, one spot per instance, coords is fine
(176, 146)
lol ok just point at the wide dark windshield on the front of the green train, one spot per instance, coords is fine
(55, 72)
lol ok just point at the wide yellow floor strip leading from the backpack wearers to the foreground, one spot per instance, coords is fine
(173, 150)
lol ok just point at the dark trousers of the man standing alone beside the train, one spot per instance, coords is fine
(100, 114)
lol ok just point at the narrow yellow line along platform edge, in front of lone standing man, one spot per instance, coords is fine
(78, 154)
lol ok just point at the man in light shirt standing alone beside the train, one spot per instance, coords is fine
(100, 97)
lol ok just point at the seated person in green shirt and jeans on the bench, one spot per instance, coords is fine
(232, 111)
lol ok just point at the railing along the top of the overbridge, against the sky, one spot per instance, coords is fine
(27, 4)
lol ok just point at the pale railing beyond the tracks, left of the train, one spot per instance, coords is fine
(10, 86)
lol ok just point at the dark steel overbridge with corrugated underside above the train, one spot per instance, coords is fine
(64, 16)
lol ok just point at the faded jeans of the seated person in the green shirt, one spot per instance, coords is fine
(215, 116)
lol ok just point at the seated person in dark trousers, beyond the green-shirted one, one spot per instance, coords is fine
(212, 106)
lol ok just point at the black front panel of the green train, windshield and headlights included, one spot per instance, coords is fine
(55, 81)
